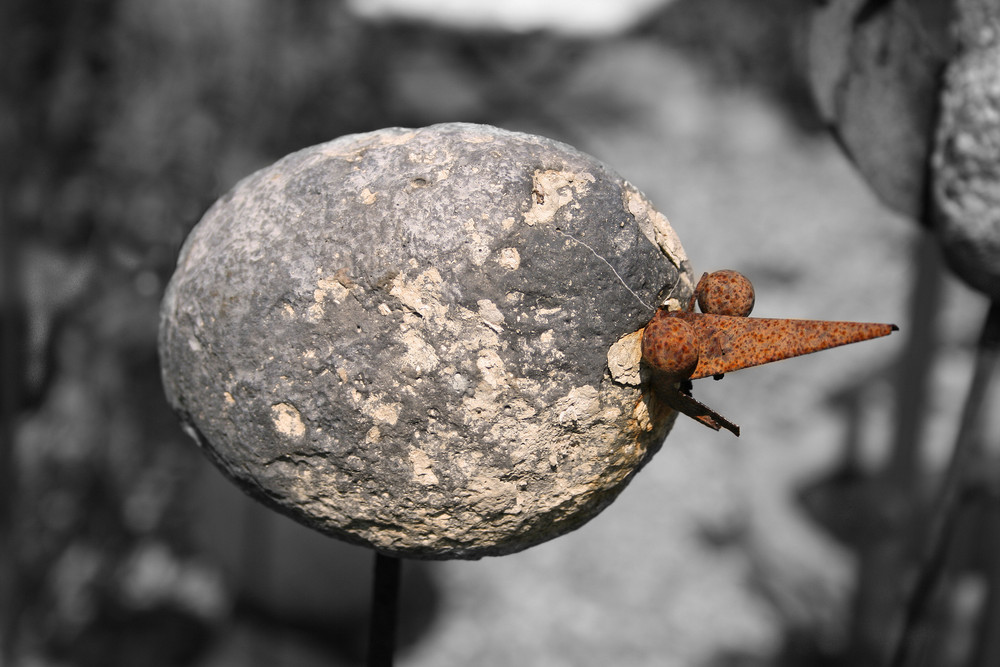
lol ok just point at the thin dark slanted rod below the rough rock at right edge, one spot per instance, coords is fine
(933, 568)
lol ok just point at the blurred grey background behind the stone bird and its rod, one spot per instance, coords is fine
(123, 120)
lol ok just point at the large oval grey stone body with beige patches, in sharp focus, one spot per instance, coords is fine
(401, 338)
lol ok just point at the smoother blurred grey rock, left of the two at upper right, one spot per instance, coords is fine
(876, 80)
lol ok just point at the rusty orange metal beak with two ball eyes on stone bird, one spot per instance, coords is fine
(683, 345)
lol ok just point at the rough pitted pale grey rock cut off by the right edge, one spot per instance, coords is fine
(966, 163)
